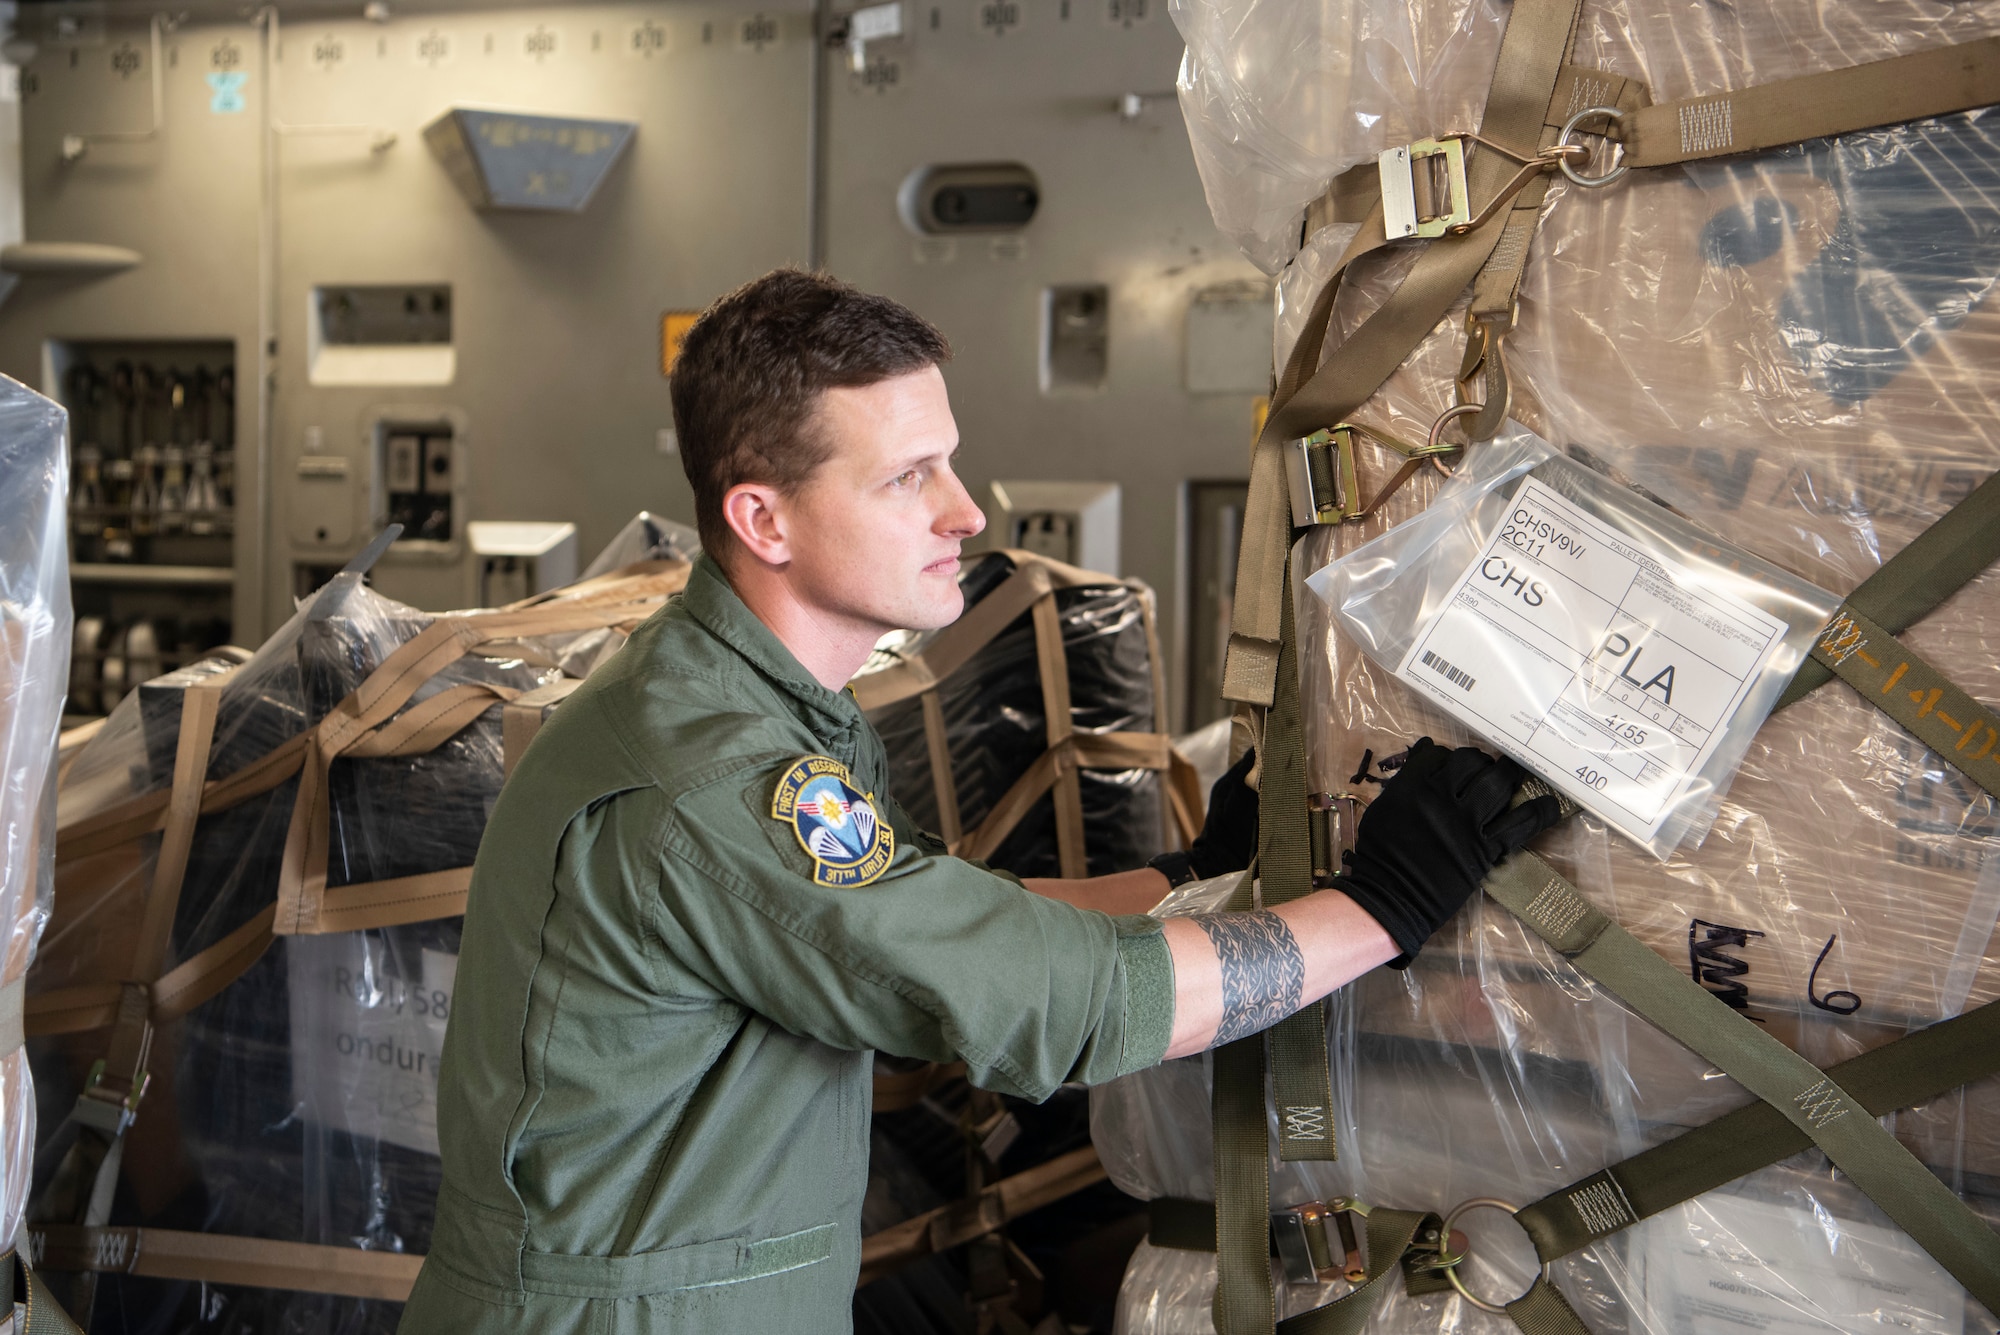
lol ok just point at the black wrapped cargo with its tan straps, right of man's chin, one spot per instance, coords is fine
(993, 708)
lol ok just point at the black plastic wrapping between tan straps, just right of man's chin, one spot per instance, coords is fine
(997, 728)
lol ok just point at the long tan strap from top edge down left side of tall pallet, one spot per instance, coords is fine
(1533, 53)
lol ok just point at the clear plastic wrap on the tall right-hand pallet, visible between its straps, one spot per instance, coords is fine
(1797, 351)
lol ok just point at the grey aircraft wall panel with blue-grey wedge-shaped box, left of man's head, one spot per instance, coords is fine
(555, 317)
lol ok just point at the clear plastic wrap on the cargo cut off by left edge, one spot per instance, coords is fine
(35, 667)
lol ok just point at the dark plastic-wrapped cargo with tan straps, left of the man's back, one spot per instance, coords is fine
(293, 1076)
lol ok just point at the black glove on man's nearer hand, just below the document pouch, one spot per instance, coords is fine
(1433, 834)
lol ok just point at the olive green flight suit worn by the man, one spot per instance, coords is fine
(657, 1080)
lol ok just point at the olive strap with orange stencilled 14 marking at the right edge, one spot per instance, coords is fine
(1913, 692)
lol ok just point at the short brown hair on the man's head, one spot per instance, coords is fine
(751, 373)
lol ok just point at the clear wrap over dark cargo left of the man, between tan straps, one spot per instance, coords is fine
(299, 1102)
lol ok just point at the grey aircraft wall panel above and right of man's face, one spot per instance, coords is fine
(1039, 83)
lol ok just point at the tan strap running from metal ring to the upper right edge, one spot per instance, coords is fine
(1931, 83)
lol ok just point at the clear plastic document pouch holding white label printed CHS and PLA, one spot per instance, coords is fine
(1609, 645)
